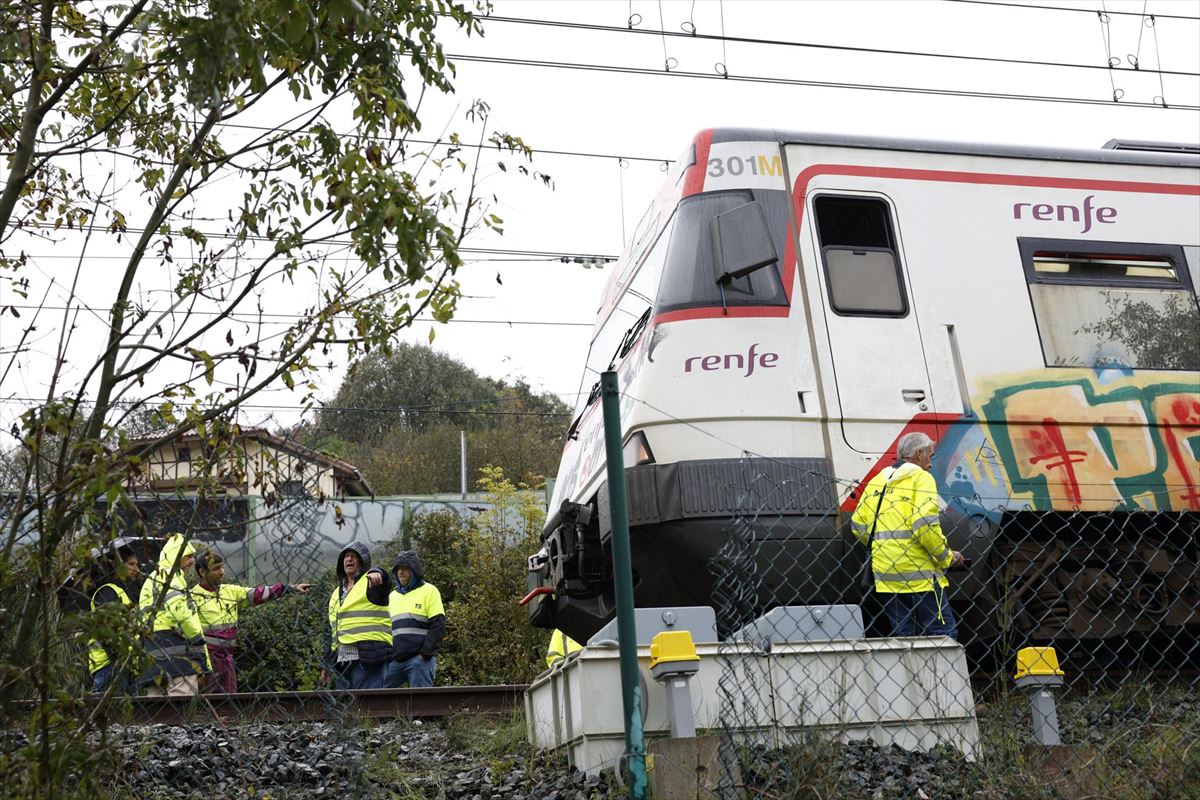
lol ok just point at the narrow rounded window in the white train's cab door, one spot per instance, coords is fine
(861, 262)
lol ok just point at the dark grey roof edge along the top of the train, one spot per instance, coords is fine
(1117, 152)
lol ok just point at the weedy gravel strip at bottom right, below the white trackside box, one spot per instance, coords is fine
(1139, 744)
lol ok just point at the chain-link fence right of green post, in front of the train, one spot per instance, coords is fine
(872, 639)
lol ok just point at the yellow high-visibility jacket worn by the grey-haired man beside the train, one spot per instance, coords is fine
(909, 550)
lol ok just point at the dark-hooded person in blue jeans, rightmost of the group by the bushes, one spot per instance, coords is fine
(418, 624)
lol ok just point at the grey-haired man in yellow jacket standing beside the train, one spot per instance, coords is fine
(897, 519)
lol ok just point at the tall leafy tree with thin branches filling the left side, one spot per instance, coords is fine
(225, 159)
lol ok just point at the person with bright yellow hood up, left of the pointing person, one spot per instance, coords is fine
(177, 637)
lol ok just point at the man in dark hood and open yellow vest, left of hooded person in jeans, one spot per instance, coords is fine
(361, 642)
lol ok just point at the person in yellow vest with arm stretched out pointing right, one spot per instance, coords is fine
(219, 604)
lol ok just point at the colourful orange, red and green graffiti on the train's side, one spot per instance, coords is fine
(1093, 442)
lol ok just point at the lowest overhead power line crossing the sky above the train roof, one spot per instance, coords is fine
(825, 85)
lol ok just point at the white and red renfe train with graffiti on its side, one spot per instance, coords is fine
(791, 305)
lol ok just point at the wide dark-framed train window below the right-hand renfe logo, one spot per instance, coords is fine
(1113, 305)
